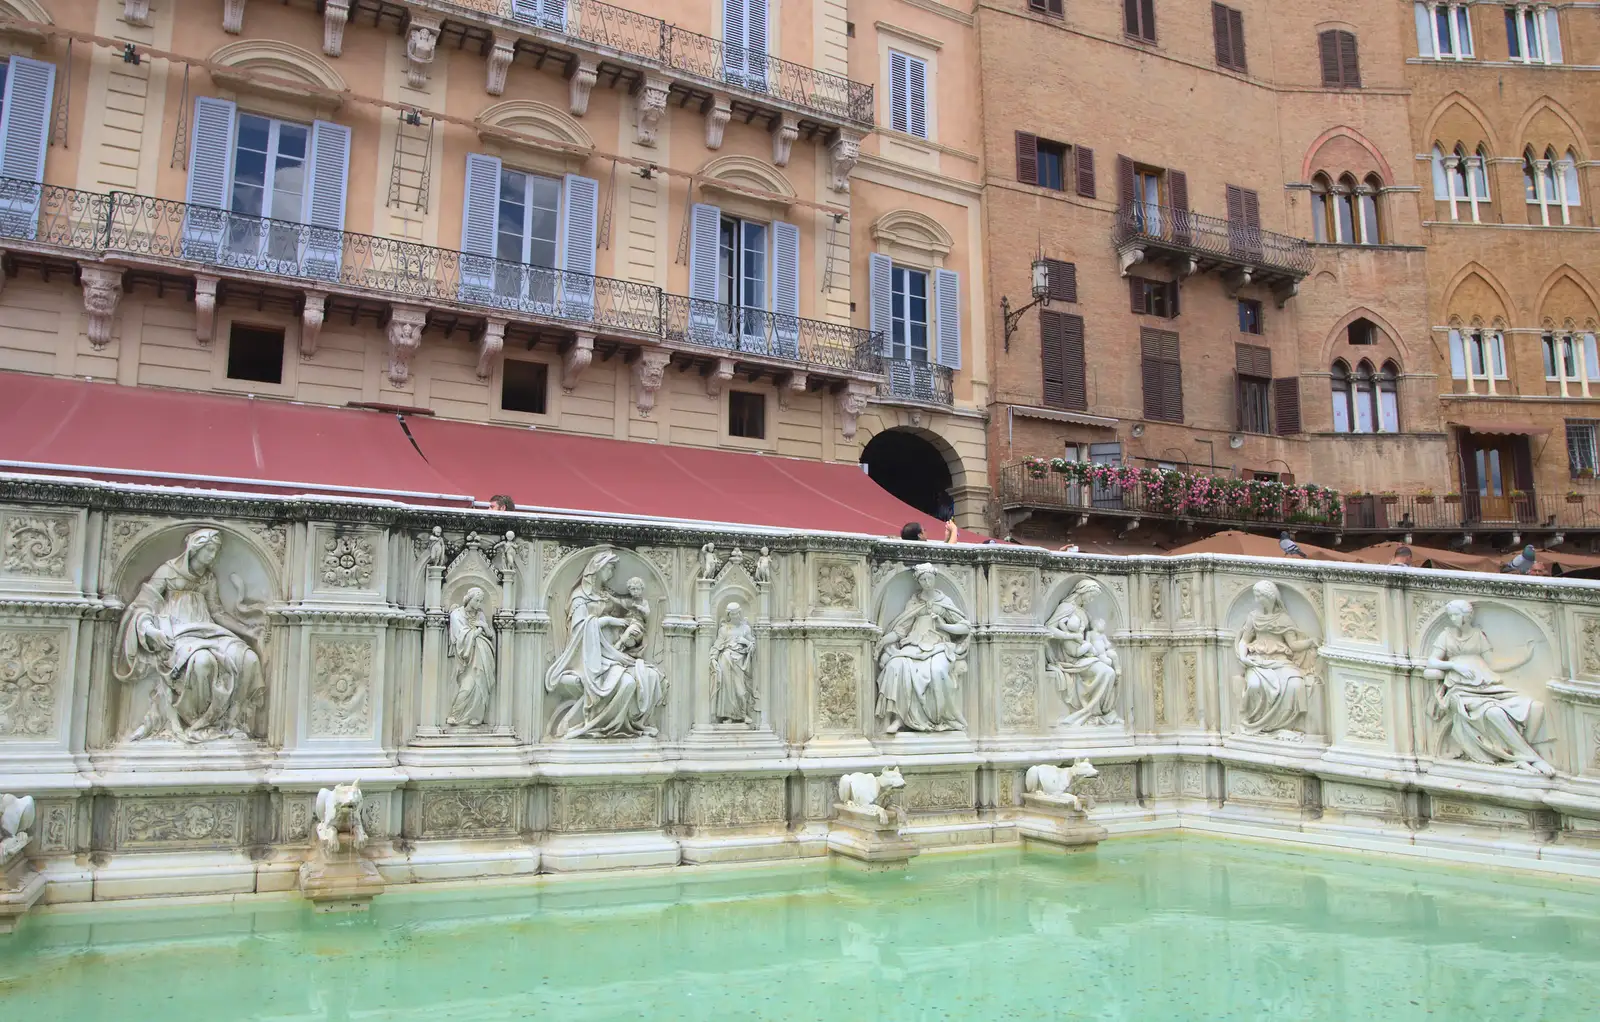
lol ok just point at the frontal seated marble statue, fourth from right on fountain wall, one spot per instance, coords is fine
(922, 660)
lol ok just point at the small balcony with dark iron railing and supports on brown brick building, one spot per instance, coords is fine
(1198, 244)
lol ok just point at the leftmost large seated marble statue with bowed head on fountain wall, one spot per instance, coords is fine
(202, 657)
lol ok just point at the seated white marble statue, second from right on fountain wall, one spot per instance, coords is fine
(1279, 663)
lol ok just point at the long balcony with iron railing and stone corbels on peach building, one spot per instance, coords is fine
(118, 242)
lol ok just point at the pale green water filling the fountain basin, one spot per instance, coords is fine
(1177, 928)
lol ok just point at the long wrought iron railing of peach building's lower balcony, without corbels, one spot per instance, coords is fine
(142, 228)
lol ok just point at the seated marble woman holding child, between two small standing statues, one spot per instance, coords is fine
(607, 687)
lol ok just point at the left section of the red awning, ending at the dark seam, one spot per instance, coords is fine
(215, 442)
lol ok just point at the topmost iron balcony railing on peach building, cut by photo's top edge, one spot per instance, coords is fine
(690, 54)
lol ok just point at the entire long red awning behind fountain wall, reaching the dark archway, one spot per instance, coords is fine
(220, 442)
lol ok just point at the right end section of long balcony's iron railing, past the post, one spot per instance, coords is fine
(687, 321)
